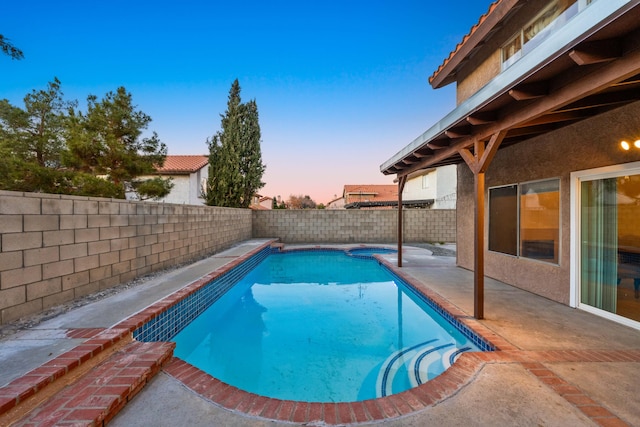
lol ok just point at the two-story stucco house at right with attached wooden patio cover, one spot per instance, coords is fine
(545, 137)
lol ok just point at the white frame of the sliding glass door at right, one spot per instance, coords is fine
(574, 270)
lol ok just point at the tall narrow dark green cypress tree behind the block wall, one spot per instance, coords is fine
(235, 158)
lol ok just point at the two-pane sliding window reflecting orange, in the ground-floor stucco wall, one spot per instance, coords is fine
(524, 220)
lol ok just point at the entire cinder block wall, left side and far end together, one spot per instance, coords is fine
(54, 249)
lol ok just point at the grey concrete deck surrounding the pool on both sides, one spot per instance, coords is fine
(559, 366)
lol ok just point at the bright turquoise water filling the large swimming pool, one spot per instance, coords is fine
(323, 327)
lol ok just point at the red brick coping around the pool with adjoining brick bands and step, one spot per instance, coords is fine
(100, 403)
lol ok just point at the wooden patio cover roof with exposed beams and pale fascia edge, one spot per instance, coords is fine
(590, 66)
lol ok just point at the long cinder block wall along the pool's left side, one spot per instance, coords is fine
(54, 248)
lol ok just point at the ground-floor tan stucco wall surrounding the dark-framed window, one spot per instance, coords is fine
(588, 144)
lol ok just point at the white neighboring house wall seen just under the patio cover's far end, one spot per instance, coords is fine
(436, 187)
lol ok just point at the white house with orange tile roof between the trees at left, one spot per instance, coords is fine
(189, 174)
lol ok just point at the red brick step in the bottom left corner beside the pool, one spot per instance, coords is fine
(97, 396)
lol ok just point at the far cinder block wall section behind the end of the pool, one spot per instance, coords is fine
(354, 226)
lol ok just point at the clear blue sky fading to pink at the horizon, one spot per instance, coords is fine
(341, 86)
